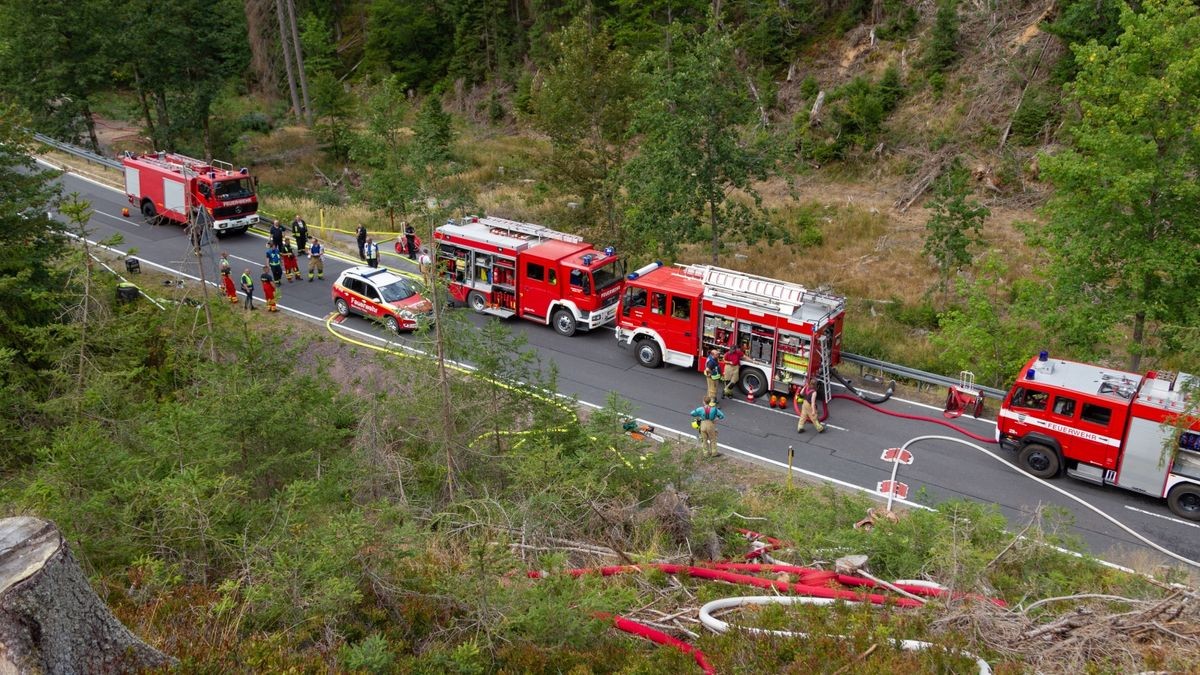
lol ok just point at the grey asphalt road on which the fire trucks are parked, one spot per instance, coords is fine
(591, 366)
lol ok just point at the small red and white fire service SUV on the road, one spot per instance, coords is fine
(383, 296)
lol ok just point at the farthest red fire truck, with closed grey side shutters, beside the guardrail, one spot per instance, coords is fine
(167, 187)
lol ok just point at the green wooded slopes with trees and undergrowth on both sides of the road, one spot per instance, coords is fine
(980, 180)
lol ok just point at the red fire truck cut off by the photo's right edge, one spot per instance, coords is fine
(1107, 427)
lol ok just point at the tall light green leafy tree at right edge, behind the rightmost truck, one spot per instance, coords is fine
(1124, 225)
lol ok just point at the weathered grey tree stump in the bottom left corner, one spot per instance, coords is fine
(51, 619)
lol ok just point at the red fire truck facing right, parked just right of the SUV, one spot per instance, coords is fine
(503, 268)
